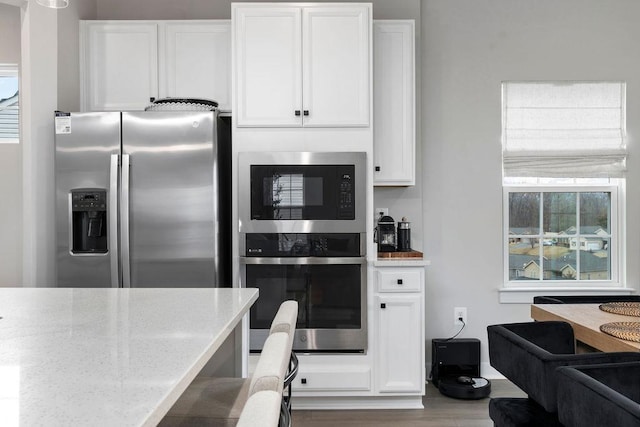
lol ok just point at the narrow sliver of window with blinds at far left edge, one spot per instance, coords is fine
(9, 111)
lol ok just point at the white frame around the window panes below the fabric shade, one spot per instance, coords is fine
(616, 246)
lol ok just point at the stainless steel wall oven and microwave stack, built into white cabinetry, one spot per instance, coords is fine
(303, 237)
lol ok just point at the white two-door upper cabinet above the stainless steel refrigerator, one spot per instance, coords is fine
(124, 64)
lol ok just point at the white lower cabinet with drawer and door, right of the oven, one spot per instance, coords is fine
(399, 362)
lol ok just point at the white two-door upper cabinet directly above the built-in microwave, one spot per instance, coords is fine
(302, 66)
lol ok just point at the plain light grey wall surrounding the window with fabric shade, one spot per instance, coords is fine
(469, 47)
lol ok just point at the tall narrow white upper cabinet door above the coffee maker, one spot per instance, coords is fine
(394, 102)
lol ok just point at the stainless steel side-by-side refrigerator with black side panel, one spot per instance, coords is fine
(141, 199)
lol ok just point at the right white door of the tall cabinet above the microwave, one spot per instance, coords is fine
(336, 66)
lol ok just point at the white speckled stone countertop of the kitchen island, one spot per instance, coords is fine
(107, 357)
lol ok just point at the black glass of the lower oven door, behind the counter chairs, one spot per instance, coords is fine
(328, 295)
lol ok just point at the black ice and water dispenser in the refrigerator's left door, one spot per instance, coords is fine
(88, 221)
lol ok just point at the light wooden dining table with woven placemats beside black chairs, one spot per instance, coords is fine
(586, 320)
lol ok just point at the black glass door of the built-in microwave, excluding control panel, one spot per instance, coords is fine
(294, 193)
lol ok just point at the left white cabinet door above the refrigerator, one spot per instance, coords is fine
(121, 65)
